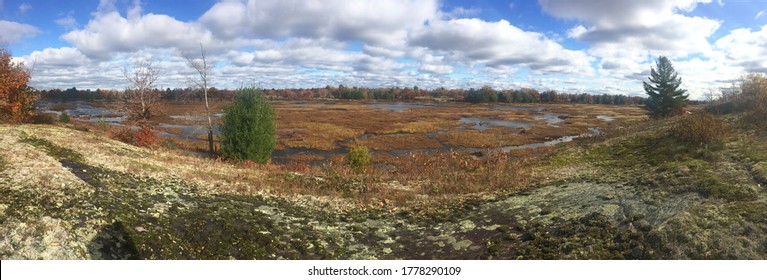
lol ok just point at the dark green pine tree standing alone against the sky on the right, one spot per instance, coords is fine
(665, 96)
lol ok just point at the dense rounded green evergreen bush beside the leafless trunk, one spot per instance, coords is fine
(248, 128)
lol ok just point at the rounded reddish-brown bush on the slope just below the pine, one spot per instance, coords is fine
(700, 129)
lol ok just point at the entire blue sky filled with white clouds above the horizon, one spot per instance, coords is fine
(595, 46)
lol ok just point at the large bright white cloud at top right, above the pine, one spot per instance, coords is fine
(655, 25)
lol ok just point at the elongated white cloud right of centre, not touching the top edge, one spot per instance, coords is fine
(495, 44)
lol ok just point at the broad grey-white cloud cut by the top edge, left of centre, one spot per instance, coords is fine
(373, 22)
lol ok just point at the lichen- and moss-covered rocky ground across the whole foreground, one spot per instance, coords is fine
(68, 194)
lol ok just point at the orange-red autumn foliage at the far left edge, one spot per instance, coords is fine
(17, 99)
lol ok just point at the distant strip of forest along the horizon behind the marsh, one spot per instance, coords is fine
(482, 95)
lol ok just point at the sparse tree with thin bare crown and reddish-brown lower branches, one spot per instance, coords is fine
(140, 99)
